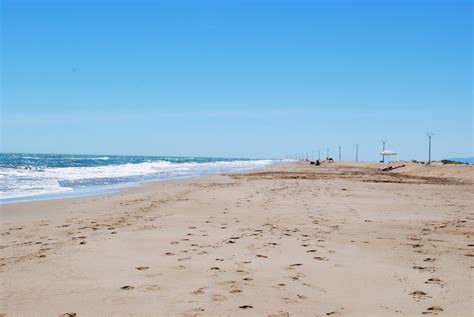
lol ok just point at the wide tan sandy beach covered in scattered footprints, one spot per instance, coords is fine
(339, 239)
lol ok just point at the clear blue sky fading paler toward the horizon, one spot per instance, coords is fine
(259, 78)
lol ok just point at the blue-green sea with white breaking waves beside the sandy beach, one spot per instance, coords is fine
(46, 176)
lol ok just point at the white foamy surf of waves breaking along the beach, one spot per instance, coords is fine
(26, 182)
